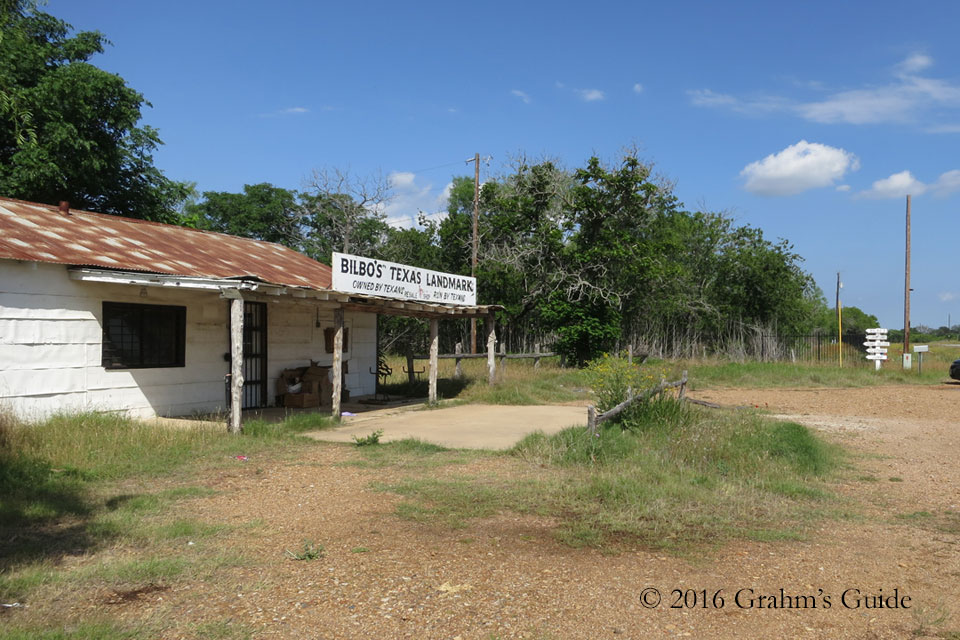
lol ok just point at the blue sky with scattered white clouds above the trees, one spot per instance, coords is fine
(810, 120)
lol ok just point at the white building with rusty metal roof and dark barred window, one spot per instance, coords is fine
(101, 313)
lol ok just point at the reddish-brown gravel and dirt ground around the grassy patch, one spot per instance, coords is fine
(506, 576)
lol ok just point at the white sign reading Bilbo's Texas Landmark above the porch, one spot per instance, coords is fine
(355, 274)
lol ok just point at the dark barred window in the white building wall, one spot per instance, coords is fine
(140, 336)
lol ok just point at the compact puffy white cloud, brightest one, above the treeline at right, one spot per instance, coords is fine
(799, 167)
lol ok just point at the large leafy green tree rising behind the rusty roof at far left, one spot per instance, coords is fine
(70, 130)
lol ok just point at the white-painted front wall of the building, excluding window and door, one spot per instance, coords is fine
(50, 347)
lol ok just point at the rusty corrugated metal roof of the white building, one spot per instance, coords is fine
(41, 233)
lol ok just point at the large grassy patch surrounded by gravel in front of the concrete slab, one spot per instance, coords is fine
(672, 477)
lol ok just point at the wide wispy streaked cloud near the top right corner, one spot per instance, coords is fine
(908, 98)
